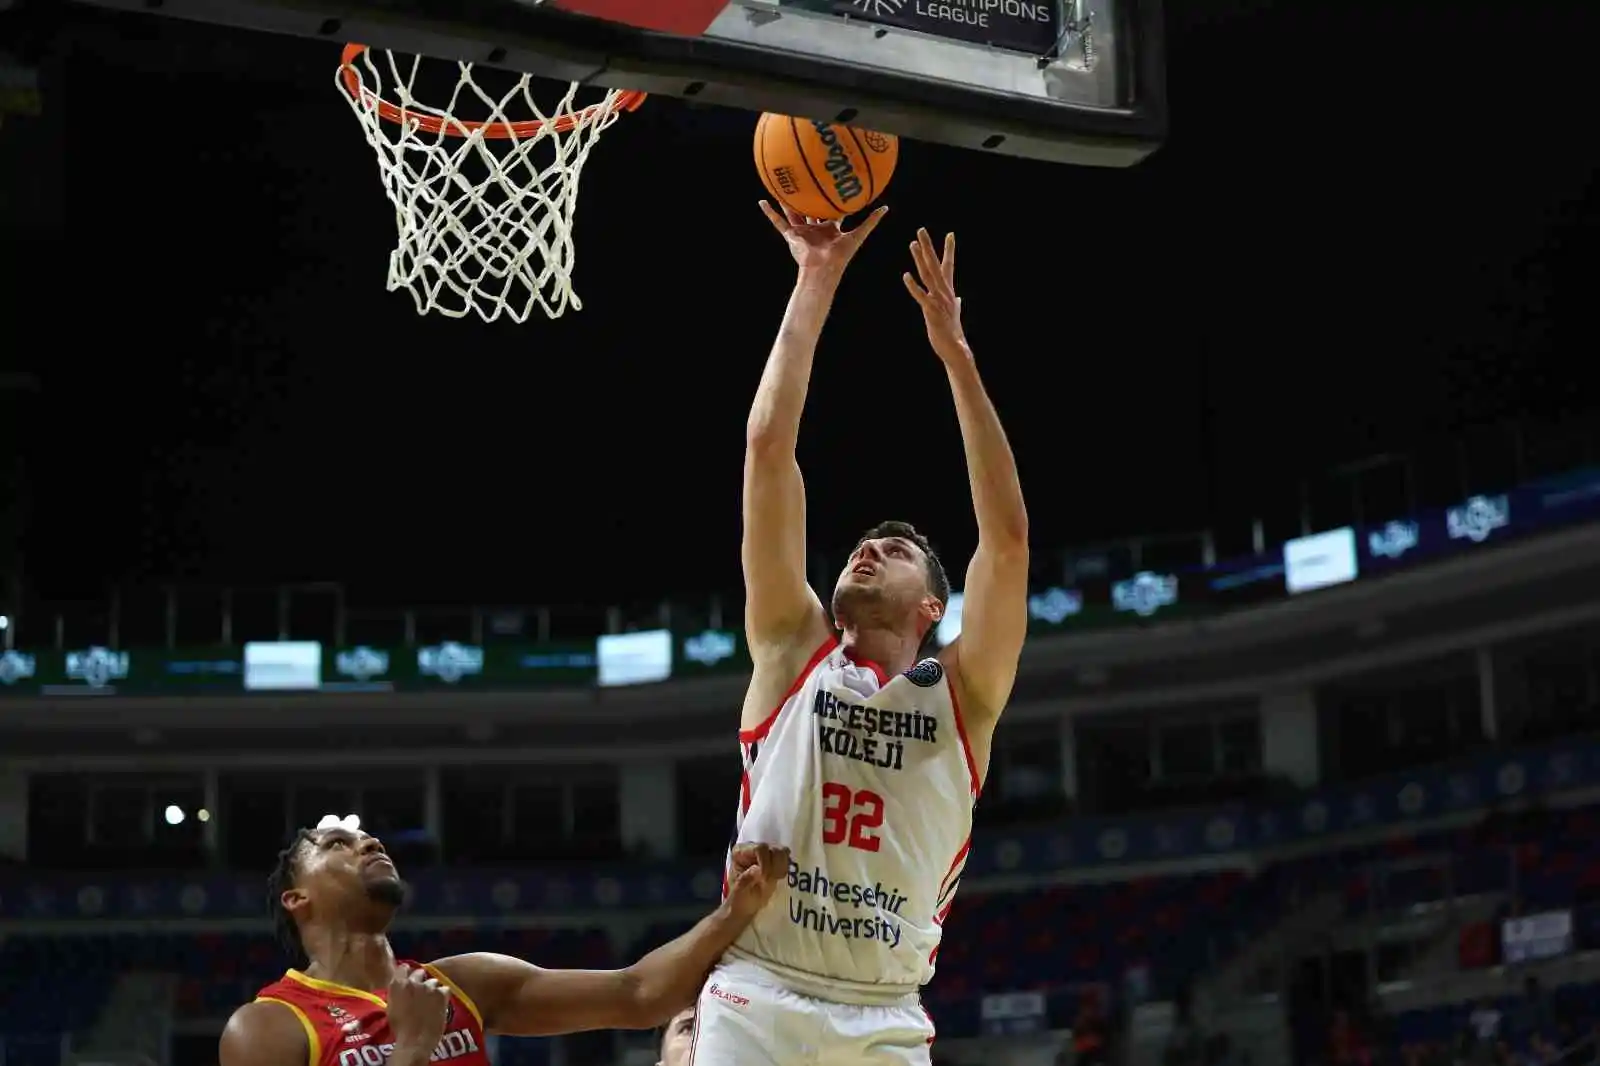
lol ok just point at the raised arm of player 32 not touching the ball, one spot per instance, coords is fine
(994, 601)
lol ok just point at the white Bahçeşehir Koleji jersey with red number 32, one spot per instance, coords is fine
(870, 782)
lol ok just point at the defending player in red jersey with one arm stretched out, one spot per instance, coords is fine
(356, 1006)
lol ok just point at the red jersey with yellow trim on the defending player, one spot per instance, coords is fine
(350, 1027)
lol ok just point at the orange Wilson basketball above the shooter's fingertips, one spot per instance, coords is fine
(823, 170)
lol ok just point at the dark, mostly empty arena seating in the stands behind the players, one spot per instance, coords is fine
(1047, 939)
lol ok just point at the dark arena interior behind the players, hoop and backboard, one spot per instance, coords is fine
(1302, 764)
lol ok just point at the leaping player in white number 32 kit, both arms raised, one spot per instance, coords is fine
(862, 755)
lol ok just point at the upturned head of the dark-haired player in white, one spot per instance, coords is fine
(894, 580)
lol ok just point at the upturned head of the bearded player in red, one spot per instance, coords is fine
(334, 878)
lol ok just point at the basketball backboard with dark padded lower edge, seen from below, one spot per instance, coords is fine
(1063, 81)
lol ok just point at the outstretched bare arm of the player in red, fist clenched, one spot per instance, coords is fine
(521, 1000)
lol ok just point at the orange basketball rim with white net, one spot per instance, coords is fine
(484, 207)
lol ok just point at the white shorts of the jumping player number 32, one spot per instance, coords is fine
(748, 1019)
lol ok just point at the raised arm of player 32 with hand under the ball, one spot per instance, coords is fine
(780, 607)
